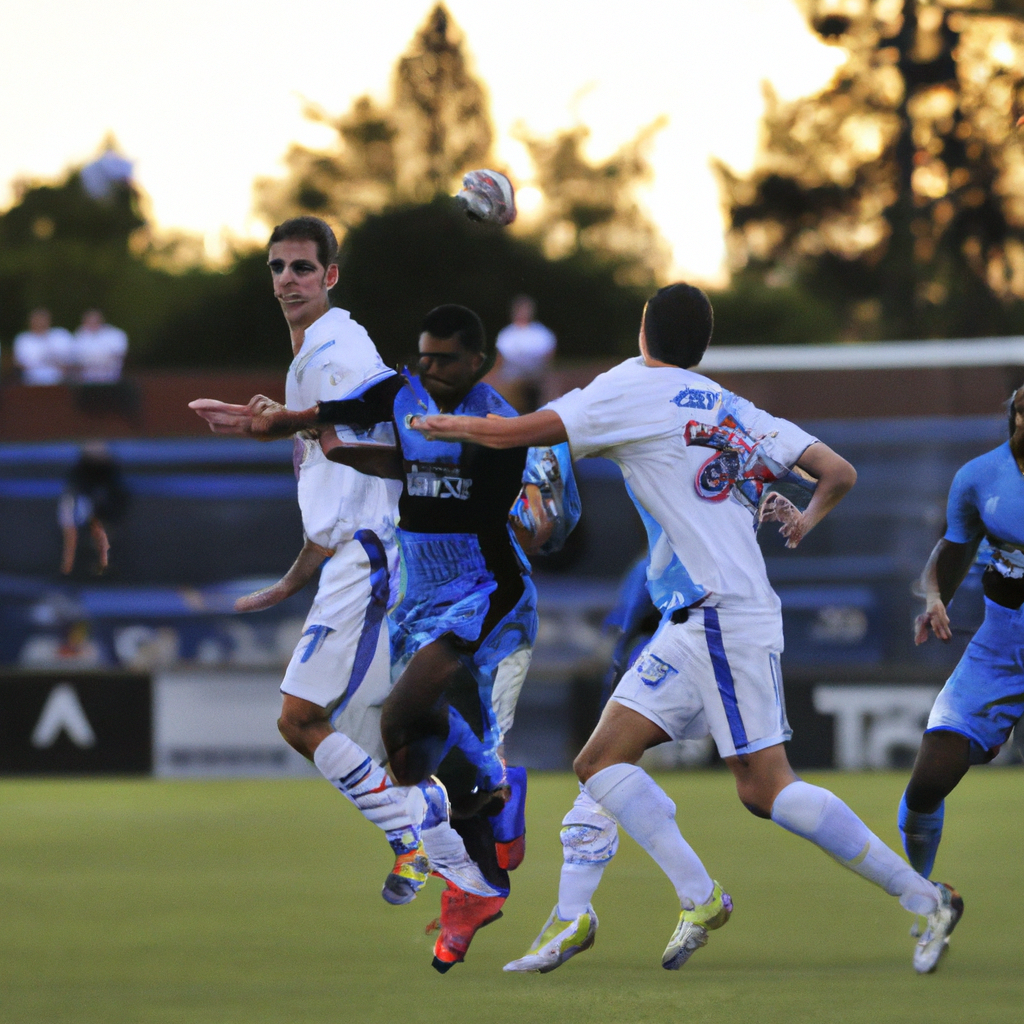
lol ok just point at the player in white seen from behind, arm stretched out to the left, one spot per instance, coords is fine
(696, 459)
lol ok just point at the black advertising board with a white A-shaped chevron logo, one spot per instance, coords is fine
(76, 722)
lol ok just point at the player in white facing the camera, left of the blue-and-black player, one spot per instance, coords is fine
(340, 672)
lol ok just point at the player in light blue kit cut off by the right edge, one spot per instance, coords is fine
(983, 701)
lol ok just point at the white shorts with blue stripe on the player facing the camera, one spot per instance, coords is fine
(344, 660)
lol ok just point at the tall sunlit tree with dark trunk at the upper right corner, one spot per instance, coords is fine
(897, 196)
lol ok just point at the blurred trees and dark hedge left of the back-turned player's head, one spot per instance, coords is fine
(386, 184)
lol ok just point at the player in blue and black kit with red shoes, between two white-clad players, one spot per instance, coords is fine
(463, 630)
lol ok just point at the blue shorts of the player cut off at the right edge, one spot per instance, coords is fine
(984, 699)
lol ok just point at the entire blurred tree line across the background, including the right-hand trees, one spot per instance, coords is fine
(890, 205)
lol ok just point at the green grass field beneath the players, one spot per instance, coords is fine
(252, 902)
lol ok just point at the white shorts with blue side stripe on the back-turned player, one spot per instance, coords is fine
(717, 673)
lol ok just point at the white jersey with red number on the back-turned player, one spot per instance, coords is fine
(696, 458)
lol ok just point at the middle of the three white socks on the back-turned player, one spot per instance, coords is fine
(646, 812)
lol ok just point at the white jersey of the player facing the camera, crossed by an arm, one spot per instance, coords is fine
(338, 361)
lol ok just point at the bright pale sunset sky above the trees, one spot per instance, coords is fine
(205, 96)
